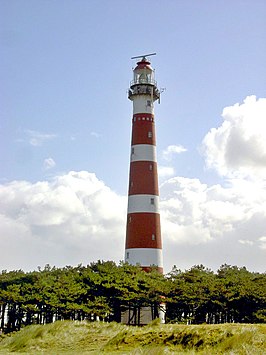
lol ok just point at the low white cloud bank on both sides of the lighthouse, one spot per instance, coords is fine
(75, 218)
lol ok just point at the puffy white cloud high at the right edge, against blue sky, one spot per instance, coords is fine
(238, 147)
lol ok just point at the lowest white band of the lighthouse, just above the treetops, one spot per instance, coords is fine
(144, 257)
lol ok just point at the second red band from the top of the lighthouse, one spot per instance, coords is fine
(143, 178)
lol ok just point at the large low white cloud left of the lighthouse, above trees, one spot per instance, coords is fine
(73, 218)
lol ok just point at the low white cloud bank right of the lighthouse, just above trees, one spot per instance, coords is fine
(213, 224)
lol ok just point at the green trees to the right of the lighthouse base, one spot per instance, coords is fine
(232, 295)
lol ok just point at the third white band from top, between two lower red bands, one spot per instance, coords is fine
(143, 203)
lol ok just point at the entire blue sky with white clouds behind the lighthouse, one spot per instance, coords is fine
(65, 122)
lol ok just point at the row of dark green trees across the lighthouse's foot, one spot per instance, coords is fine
(104, 290)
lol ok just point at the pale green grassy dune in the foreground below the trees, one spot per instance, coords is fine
(112, 338)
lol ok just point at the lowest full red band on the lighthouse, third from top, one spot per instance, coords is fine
(141, 227)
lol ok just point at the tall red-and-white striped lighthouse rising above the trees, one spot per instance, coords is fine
(143, 235)
